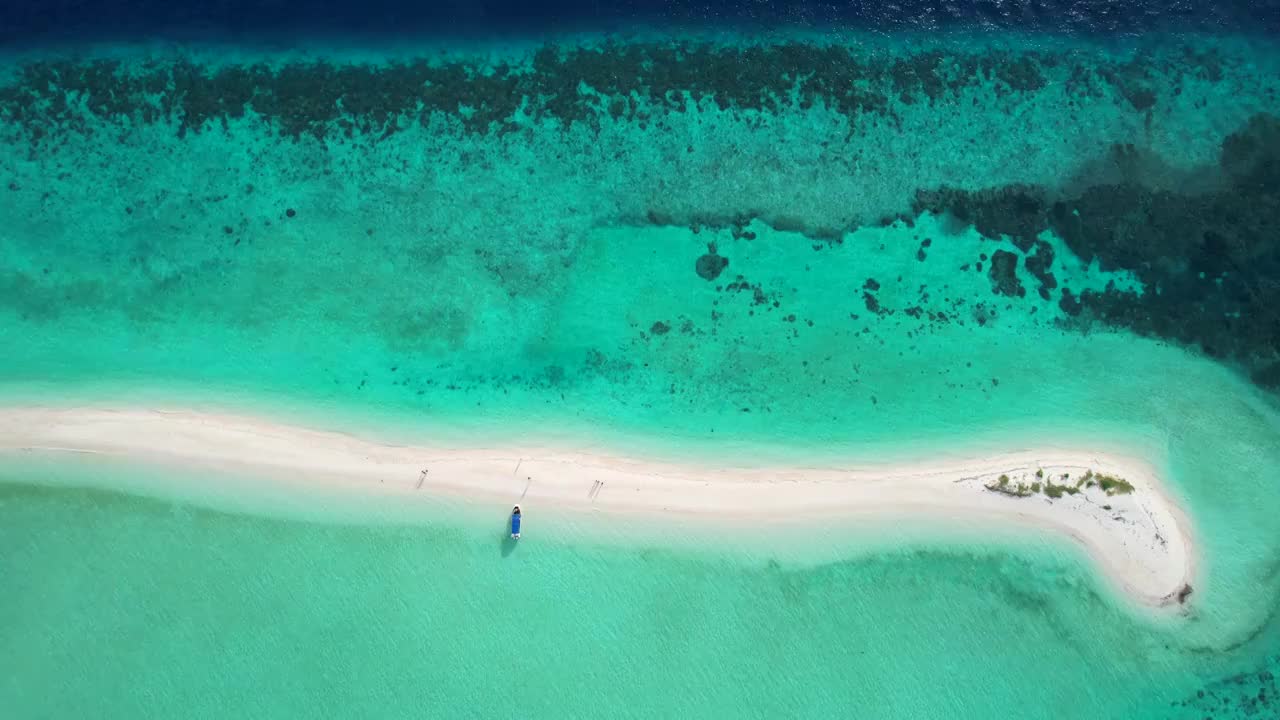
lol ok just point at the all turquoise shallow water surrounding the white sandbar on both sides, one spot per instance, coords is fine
(548, 282)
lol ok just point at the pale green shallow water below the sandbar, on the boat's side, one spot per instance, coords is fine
(205, 614)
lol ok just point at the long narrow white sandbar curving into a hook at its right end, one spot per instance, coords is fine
(1140, 541)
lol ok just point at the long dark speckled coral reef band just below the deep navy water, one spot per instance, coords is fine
(568, 84)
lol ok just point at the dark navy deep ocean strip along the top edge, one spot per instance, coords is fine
(280, 20)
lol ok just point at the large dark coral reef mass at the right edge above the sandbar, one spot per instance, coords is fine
(1209, 262)
